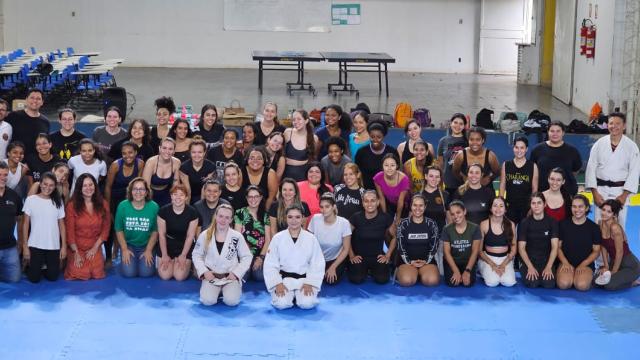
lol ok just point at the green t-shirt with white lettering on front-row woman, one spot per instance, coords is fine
(137, 225)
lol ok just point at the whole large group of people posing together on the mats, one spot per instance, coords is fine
(302, 206)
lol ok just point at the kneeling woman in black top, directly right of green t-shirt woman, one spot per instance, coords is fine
(177, 224)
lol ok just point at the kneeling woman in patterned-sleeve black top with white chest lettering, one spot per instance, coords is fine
(418, 246)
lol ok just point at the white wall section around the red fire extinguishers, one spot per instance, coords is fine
(592, 77)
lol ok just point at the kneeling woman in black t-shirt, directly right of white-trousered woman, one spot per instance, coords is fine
(538, 245)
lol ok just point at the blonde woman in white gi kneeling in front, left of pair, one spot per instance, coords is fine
(221, 258)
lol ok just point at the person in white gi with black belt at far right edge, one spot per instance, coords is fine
(614, 167)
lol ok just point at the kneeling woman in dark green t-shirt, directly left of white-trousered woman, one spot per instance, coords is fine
(461, 241)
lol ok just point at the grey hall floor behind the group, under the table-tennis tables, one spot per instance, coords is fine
(442, 94)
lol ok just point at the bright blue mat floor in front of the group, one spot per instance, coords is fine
(119, 318)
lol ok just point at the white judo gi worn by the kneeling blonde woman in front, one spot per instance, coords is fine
(235, 258)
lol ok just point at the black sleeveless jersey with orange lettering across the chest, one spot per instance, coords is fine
(518, 184)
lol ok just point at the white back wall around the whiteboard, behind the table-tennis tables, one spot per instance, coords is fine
(423, 35)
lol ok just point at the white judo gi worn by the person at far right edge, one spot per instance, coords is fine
(623, 164)
